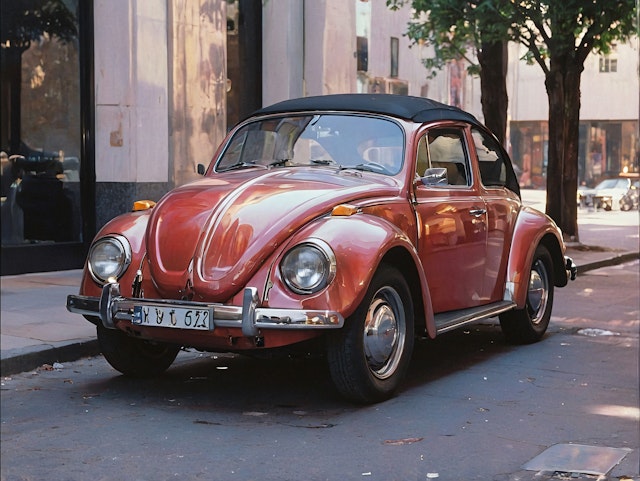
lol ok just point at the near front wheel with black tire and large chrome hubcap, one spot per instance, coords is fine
(369, 357)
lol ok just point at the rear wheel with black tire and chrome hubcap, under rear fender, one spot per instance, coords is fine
(528, 325)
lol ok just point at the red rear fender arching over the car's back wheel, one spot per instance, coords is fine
(532, 228)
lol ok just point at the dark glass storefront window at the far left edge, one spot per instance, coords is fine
(41, 132)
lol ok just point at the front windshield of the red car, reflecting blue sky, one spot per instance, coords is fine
(345, 141)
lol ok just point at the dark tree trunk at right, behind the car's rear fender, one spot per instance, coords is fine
(563, 89)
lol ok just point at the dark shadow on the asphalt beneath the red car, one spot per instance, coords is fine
(219, 381)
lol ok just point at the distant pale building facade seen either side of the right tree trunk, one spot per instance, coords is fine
(609, 137)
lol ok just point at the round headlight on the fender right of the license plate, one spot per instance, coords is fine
(308, 267)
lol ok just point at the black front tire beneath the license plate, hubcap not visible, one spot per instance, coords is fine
(135, 357)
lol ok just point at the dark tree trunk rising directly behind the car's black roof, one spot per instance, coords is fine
(493, 58)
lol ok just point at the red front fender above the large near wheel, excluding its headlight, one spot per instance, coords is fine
(360, 243)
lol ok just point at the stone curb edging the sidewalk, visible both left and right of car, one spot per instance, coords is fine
(32, 358)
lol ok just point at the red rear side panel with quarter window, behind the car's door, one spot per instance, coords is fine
(493, 167)
